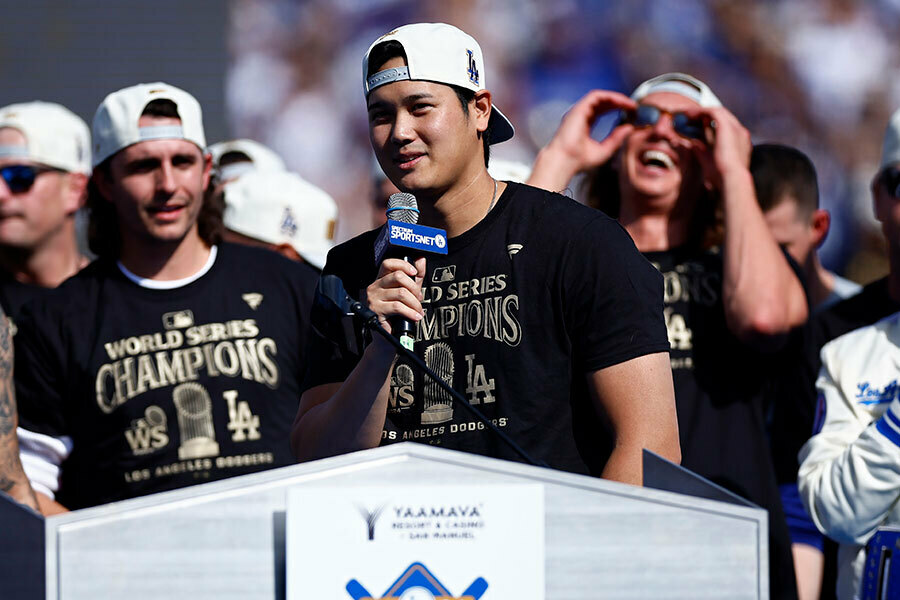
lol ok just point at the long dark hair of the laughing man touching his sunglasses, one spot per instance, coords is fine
(601, 190)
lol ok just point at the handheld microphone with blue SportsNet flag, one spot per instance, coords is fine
(403, 237)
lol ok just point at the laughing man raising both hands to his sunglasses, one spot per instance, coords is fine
(675, 173)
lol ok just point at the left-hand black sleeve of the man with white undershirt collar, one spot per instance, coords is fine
(40, 372)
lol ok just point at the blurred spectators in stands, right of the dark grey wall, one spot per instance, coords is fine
(791, 70)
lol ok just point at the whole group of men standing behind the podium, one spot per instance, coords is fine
(680, 308)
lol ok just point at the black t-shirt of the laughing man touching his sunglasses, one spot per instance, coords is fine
(721, 387)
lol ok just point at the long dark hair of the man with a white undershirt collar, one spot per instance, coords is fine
(104, 236)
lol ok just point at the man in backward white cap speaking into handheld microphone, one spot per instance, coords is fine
(542, 313)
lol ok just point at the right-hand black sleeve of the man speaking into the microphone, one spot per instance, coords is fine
(614, 308)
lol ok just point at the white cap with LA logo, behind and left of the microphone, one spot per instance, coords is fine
(280, 207)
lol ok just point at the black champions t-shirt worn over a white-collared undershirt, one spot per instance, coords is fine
(160, 389)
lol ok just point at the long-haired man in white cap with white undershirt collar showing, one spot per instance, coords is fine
(174, 358)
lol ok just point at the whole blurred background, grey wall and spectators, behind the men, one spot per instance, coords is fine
(821, 75)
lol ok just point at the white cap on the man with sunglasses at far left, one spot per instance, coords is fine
(54, 136)
